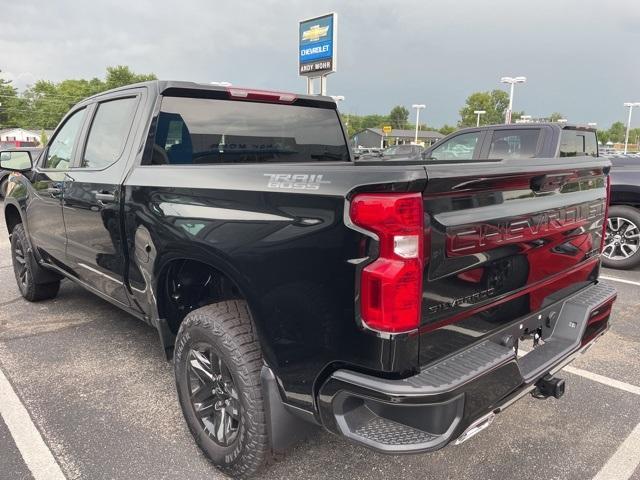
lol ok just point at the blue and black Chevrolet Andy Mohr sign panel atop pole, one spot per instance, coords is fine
(317, 46)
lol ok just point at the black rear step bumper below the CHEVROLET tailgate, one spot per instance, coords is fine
(448, 399)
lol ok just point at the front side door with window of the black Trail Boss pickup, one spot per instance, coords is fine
(45, 221)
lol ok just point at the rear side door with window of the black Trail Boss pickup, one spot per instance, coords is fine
(92, 196)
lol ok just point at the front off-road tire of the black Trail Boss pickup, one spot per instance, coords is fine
(27, 271)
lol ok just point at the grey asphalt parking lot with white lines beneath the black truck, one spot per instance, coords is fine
(101, 396)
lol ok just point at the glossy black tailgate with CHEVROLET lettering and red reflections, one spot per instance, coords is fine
(505, 239)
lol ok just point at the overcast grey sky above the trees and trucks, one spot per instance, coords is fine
(581, 58)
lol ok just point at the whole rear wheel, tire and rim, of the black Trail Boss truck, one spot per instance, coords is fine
(217, 365)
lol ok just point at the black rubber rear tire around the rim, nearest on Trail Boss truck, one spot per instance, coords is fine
(227, 328)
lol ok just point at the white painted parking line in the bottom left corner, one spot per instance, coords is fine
(34, 451)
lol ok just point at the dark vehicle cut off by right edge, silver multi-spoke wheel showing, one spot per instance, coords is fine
(622, 242)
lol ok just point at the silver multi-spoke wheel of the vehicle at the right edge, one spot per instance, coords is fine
(622, 238)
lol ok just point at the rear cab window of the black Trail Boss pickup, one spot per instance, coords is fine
(209, 131)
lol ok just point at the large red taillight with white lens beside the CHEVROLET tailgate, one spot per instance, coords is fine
(391, 286)
